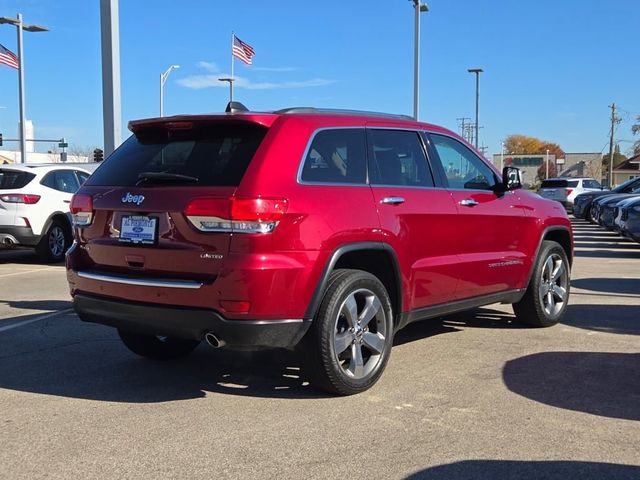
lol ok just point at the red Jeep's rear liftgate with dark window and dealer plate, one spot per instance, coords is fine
(152, 208)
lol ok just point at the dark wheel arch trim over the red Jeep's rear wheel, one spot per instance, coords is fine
(316, 299)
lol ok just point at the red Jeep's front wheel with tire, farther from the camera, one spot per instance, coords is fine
(547, 295)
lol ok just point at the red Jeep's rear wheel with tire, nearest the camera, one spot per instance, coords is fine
(352, 334)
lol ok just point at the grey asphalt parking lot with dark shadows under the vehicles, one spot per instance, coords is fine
(467, 396)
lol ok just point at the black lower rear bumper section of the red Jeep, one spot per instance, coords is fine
(192, 323)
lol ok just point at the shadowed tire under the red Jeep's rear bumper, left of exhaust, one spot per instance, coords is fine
(157, 347)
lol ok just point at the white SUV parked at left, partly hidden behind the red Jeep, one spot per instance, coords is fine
(34, 206)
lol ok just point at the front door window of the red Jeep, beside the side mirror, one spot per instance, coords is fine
(463, 168)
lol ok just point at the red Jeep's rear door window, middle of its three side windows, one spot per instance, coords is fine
(398, 158)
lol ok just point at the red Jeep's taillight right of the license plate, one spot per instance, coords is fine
(238, 215)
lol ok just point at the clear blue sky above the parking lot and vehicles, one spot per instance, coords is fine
(551, 67)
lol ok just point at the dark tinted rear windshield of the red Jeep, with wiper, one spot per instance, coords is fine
(208, 155)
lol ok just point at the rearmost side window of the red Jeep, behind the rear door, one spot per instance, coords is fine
(336, 156)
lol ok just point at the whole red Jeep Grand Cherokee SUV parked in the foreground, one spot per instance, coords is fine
(324, 230)
